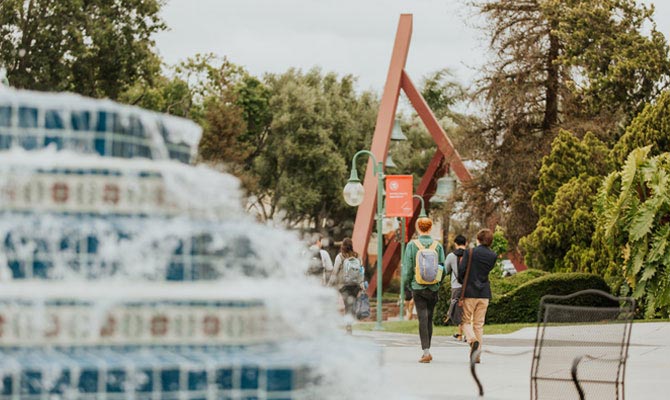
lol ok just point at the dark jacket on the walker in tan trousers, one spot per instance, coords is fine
(483, 261)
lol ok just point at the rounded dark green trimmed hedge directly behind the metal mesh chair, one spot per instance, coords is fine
(521, 304)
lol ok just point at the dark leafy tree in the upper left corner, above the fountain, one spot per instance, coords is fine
(96, 48)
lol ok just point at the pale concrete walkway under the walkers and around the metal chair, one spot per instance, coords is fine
(508, 377)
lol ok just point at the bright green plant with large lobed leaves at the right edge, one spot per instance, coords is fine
(634, 223)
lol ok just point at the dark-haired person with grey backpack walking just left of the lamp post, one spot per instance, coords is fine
(348, 274)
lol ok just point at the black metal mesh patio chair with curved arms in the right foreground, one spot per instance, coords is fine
(581, 347)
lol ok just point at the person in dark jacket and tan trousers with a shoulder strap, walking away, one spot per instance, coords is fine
(473, 274)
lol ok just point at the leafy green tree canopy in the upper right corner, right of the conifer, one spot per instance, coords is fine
(612, 66)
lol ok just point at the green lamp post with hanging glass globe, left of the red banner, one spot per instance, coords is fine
(353, 195)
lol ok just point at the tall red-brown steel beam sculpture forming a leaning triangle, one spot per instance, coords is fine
(397, 79)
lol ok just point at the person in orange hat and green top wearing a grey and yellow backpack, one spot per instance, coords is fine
(425, 260)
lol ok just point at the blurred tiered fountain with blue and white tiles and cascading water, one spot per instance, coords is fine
(128, 273)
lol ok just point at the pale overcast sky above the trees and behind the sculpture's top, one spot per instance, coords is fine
(345, 36)
